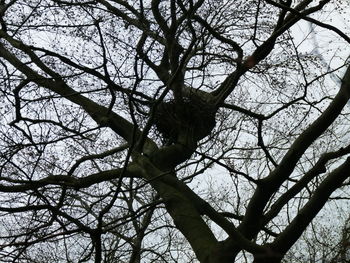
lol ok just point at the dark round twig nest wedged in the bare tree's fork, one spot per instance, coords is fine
(191, 117)
